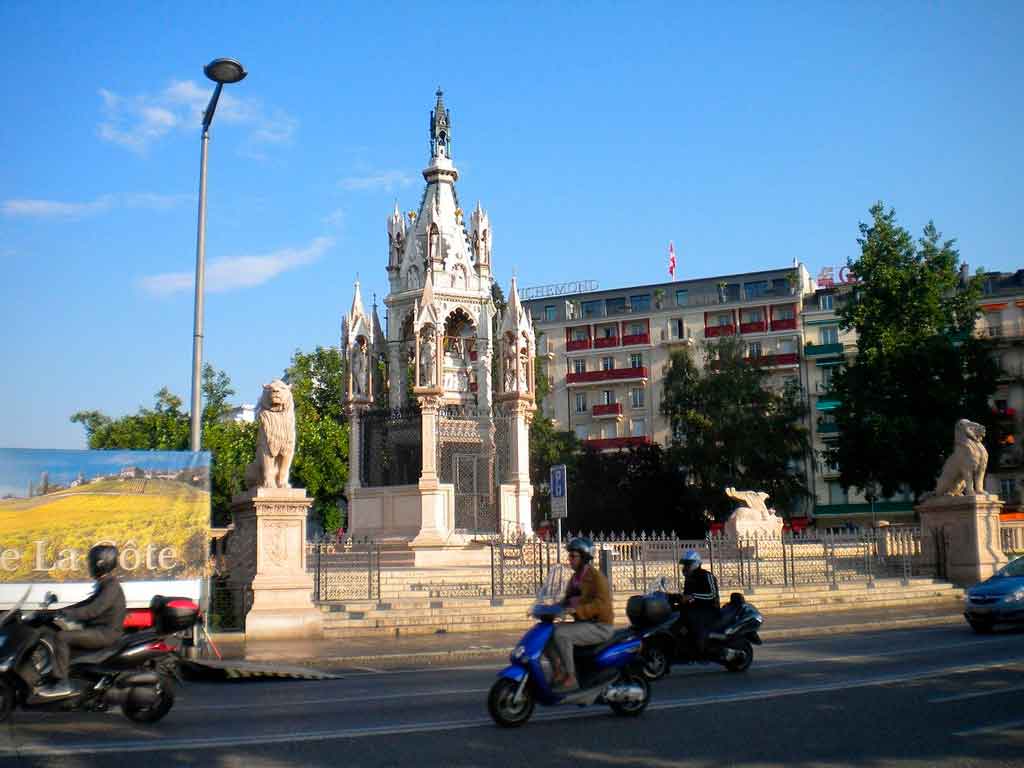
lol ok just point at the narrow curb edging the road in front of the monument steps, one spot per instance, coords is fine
(429, 659)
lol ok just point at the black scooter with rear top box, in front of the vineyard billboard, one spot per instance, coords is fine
(133, 674)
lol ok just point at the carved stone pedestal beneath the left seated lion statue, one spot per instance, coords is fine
(269, 551)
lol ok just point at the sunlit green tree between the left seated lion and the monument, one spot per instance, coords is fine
(321, 463)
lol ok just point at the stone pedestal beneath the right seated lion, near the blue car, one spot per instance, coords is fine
(963, 531)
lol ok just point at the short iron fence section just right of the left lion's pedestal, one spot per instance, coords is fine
(345, 570)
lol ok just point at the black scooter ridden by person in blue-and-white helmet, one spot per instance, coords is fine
(656, 618)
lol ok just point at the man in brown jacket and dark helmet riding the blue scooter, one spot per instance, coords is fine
(589, 600)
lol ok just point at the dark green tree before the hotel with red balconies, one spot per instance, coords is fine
(732, 430)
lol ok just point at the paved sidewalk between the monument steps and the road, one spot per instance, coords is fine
(445, 649)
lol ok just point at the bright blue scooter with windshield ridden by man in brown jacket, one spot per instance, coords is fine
(610, 673)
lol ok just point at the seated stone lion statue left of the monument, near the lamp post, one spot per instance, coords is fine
(276, 441)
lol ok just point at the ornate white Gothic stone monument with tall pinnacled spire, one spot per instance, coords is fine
(441, 401)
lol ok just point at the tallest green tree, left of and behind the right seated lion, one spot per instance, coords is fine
(919, 368)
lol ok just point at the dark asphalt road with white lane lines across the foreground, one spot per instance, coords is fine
(942, 697)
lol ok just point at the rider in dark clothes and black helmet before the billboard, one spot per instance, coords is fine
(103, 614)
